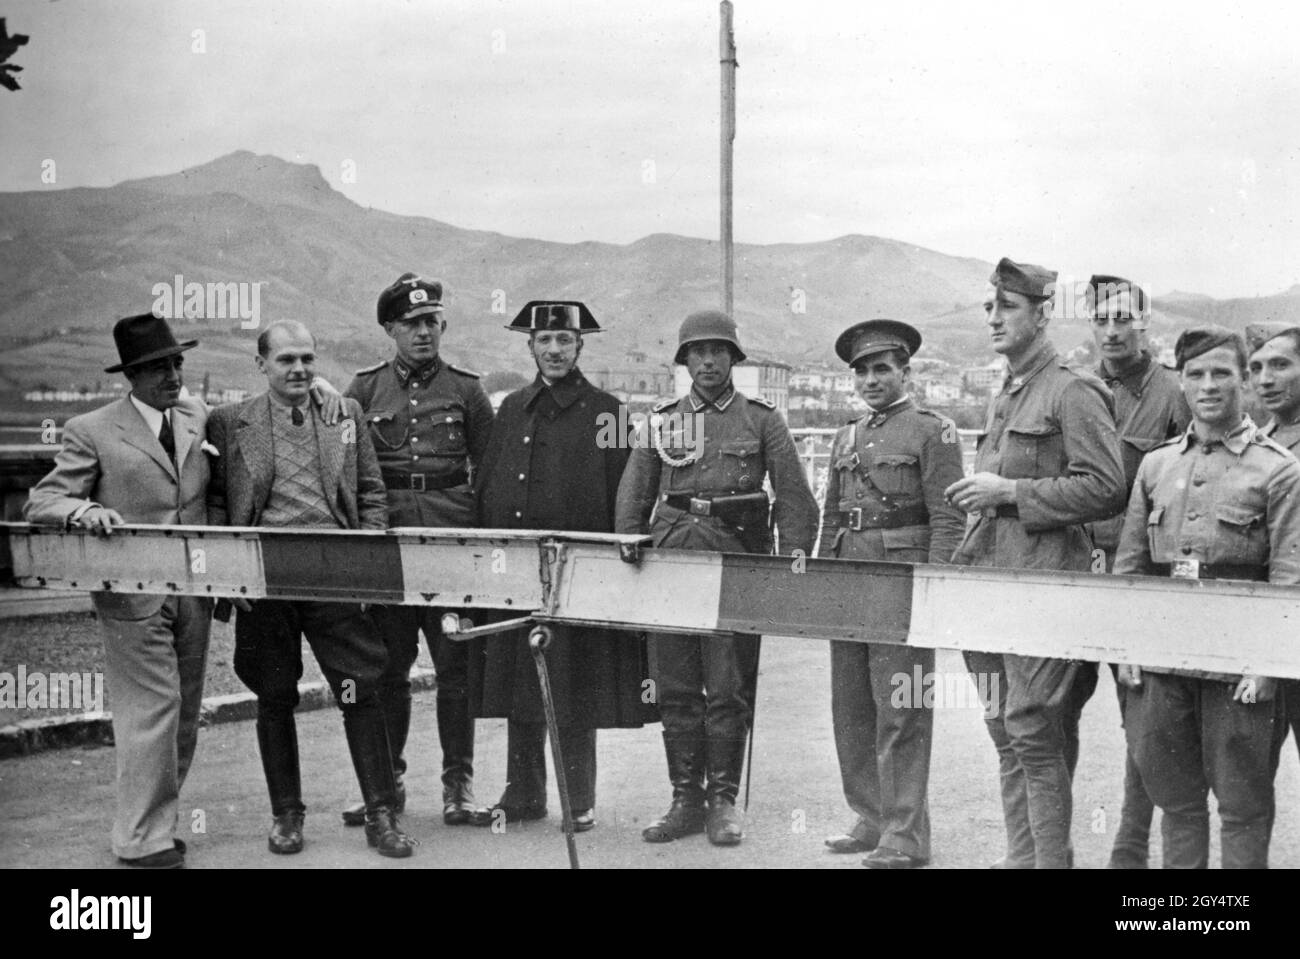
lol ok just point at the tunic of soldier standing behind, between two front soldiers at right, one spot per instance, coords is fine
(1150, 409)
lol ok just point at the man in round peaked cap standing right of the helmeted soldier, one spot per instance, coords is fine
(885, 501)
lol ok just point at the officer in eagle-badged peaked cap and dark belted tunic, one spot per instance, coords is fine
(431, 423)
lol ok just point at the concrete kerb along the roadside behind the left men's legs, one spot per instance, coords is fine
(97, 728)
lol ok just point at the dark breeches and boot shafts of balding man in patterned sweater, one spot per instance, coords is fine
(270, 661)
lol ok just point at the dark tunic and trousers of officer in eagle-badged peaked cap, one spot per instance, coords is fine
(431, 428)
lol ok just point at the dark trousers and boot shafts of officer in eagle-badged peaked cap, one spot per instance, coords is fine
(400, 628)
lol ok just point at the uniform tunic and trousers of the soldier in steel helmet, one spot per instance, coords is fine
(723, 446)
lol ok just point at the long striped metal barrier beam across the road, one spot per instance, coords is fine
(580, 579)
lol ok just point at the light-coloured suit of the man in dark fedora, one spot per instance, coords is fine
(155, 646)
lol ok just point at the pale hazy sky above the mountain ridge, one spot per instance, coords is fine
(1125, 138)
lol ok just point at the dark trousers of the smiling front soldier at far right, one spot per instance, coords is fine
(1190, 737)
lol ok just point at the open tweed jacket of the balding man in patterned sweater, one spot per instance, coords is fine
(350, 471)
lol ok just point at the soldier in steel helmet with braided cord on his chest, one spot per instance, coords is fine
(696, 483)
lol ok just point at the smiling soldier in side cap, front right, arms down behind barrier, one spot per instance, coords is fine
(1219, 502)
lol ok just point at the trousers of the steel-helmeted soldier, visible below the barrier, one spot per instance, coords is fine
(705, 684)
